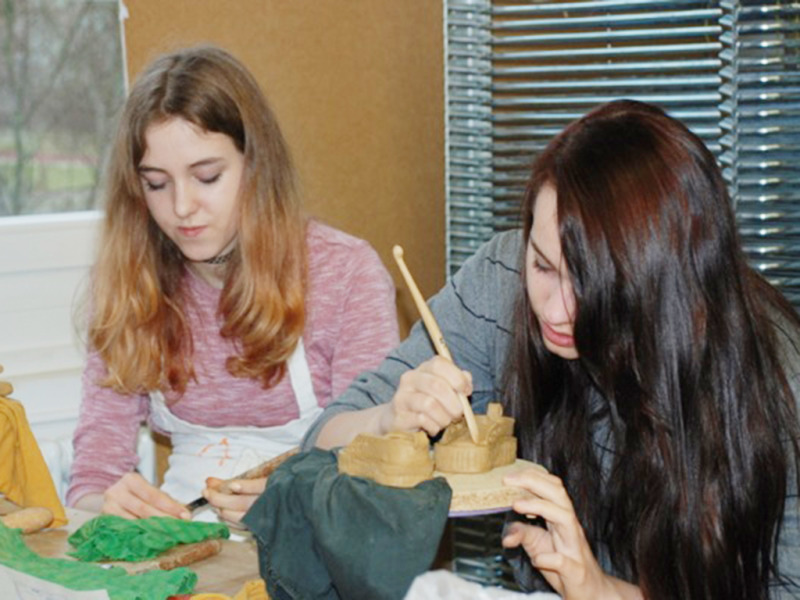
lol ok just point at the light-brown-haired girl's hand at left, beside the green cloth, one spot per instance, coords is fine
(133, 497)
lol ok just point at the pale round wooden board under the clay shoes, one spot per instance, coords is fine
(484, 493)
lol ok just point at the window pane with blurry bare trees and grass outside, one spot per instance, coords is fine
(61, 85)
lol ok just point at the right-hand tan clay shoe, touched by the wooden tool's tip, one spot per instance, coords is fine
(455, 452)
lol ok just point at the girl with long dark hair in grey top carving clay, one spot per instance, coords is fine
(648, 367)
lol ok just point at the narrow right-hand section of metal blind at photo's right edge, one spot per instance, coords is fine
(761, 133)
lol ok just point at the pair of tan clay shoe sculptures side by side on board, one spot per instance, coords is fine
(403, 459)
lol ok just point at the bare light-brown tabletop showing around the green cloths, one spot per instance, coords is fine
(224, 573)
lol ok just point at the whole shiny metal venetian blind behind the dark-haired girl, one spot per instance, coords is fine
(518, 72)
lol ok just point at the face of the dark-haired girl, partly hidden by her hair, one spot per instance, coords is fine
(549, 286)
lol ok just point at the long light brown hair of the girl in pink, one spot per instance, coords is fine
(138, 322)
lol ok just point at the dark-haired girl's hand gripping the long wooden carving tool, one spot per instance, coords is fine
(427, 398)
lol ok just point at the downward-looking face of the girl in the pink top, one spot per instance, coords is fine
(191, 178)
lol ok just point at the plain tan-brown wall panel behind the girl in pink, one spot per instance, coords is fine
(358, 88)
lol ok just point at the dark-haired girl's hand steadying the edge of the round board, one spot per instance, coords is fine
(559, 551)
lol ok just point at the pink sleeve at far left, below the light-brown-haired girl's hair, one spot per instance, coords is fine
(105, 440)
